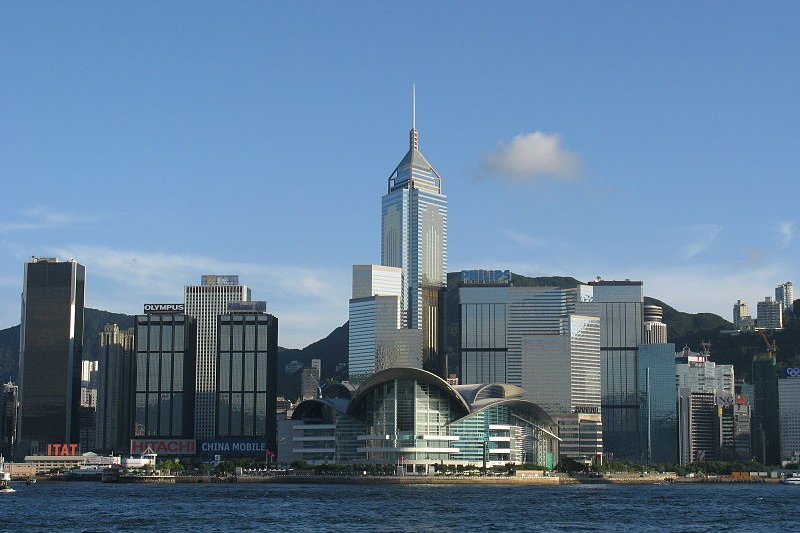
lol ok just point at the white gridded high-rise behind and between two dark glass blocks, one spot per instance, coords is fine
(205, 302)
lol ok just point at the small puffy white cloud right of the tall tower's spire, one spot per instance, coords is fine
(530, 157)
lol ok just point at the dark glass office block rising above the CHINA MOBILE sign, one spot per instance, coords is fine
(247, 366)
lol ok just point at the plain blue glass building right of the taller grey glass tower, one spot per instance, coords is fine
(658, 400)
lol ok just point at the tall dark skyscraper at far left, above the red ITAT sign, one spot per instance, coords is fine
(51, 350)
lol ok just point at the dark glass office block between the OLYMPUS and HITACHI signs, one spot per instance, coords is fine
(164, 372)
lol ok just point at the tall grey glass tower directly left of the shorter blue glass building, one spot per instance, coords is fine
(620, 307)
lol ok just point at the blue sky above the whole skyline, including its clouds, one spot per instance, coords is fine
(158, 141)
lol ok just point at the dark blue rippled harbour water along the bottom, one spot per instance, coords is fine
(94, 507)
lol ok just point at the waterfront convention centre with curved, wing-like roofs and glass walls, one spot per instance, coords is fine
(413, 419)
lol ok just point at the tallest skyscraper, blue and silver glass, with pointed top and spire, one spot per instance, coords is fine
(414, 238)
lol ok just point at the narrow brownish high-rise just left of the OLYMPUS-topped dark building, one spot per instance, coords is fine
(114, 393)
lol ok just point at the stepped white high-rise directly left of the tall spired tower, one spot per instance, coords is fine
(377, 339)
